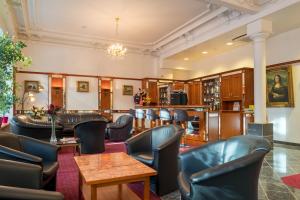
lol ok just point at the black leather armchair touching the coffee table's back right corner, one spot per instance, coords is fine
(158, 148)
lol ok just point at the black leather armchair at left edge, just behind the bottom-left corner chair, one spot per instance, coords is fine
(34, 156)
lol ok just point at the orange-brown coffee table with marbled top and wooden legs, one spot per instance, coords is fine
(100, 170)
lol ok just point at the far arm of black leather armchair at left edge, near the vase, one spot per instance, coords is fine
(39, 148)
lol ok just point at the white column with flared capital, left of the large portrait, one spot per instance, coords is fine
(259, 31)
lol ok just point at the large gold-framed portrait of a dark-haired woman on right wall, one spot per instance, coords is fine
(280, 86)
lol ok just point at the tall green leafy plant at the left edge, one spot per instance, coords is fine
(10, 55)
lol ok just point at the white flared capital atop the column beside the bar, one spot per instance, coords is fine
(259, 30)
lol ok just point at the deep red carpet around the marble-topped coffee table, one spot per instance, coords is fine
(67, 178)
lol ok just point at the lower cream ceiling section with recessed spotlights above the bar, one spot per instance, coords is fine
(283, 20)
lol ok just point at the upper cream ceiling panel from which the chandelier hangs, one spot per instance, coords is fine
(142, 22)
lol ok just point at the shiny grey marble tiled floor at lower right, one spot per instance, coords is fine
(283, 160)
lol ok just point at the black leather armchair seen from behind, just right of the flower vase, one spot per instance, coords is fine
(91, 135)
